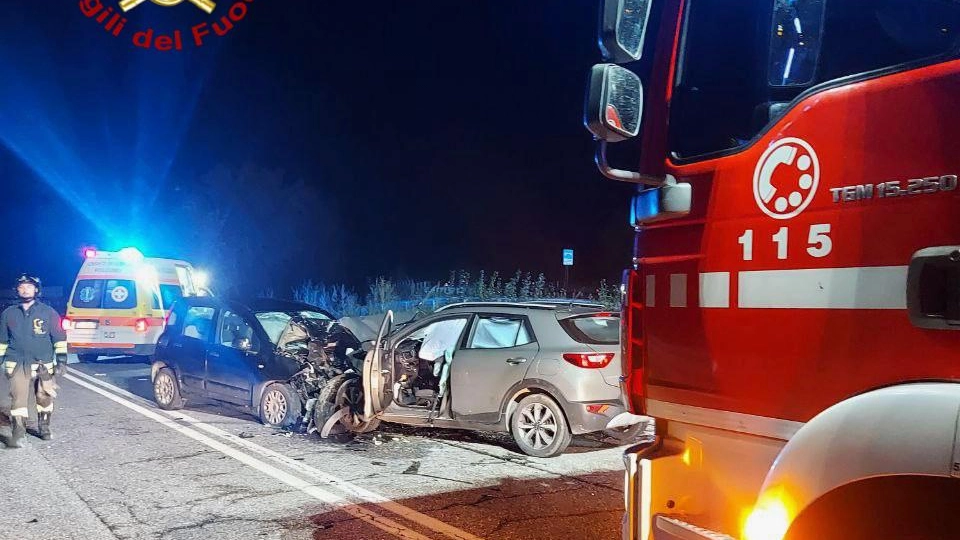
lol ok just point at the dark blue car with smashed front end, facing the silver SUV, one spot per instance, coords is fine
(268, 356)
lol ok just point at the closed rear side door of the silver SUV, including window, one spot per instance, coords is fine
(496, 355)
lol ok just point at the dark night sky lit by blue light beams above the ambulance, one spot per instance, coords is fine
(414, 137)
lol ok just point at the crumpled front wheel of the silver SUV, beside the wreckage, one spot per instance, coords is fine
(343, 391)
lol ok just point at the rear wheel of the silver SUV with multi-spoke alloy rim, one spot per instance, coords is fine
(539, 427)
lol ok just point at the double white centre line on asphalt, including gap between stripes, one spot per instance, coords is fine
(148, 409)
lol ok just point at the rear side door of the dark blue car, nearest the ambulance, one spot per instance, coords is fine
(190, 346)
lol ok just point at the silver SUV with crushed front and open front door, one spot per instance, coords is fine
(541, 371)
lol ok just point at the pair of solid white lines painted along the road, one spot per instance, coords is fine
(363, 494)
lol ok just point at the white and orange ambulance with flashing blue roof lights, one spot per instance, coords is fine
(120, 300)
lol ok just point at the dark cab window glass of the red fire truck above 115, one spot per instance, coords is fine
(740, 64)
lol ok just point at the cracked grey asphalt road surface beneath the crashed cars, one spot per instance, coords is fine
(119, 467)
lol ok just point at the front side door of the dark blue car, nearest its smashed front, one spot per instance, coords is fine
(233, 359)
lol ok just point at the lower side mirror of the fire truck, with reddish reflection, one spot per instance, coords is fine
(614, 103)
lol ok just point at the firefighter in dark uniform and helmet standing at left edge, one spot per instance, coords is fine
(33, 347)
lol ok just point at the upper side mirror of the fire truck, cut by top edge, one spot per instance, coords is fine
(623, 26)
